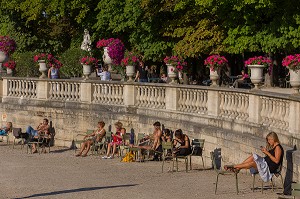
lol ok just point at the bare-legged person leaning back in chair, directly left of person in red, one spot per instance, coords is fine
(92, 138)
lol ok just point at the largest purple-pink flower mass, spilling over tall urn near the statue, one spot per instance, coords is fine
(115, 49)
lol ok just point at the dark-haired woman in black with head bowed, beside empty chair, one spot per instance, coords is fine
(182, 144)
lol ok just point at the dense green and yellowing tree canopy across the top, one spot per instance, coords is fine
(156, 28)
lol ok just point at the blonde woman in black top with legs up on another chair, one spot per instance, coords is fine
(264, 165)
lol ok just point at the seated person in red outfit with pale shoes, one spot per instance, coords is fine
(117, 140)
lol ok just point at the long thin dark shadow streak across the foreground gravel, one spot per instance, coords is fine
(75, 190)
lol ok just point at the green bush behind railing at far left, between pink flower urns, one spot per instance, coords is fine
(26, 67)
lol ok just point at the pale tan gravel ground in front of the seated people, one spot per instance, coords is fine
(60, 174)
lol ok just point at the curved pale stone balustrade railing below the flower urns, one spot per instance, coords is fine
(278, 112)
